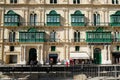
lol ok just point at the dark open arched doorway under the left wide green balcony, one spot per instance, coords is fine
(32, 56)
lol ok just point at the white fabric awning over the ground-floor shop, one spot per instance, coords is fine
(79, 55)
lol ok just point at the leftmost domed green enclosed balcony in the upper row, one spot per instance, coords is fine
(11, 19)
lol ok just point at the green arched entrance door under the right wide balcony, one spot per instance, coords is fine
(97, 56)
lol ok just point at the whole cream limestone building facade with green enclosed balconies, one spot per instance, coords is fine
(60, 29)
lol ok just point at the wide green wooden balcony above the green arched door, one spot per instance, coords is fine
(99, 36)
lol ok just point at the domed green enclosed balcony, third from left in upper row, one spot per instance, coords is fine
(77, 19)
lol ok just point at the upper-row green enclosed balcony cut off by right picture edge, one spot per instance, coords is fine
(115, 19)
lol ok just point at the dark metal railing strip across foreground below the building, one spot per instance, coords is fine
(62, 72)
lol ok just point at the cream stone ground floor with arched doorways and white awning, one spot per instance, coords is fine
(96, 54)
